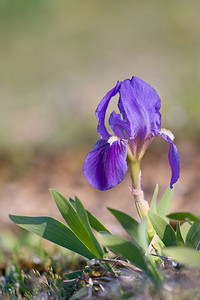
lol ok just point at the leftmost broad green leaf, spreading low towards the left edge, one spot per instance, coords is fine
(53, 231)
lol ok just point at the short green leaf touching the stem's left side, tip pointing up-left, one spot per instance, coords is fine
(128, 223)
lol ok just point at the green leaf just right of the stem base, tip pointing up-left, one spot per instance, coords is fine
(163, 229)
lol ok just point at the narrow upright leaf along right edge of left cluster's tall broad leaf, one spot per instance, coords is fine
(84, 217)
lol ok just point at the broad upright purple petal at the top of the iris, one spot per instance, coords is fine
(140, 104)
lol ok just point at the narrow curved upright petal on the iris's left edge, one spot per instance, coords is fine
(101, 111)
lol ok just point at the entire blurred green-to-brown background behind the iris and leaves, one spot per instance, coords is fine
(57, 60)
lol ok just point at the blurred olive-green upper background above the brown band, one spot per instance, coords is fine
(59, 58)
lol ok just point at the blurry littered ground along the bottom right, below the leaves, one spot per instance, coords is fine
(180, 283)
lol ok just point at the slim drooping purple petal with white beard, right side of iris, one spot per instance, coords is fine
(174, 159)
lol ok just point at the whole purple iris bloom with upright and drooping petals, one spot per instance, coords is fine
(137, 125)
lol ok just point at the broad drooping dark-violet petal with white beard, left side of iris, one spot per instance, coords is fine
(106, 166)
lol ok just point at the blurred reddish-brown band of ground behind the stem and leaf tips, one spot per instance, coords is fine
(24, 191)
